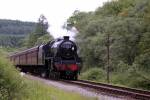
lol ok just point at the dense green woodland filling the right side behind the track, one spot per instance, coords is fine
(127, 24)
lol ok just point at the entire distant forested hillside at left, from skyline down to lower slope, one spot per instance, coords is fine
(12, 32)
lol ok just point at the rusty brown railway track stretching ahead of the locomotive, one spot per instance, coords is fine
(113, 90)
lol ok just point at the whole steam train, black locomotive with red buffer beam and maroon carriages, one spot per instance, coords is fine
(57, 59)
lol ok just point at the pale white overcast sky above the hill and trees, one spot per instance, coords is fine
(56, 11)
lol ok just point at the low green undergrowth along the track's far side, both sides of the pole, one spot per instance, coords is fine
(129, 78)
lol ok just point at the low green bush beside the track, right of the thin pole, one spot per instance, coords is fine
(132, 78)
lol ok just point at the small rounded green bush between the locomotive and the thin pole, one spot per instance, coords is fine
(94, 74)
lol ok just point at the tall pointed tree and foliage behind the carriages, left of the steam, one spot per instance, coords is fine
(40, 35)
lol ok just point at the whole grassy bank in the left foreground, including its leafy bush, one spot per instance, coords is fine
(15, 87)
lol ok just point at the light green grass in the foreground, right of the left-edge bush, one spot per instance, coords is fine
(40, 91)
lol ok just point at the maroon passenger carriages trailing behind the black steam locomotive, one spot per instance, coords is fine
(27, 59)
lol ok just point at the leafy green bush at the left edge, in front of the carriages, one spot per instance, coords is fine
(12, 86)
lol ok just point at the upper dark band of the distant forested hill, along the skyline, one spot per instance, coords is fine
(15, 27)
